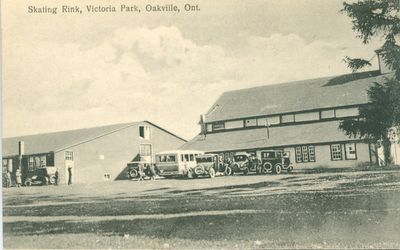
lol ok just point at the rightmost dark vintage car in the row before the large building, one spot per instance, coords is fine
(274, 161)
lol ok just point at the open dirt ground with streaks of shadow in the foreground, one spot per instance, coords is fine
(320, 210)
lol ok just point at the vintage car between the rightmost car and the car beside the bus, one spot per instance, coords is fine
(245, 163)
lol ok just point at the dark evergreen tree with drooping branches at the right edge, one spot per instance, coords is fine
(377, 18)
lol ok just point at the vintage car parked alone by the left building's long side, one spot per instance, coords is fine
(41, 176)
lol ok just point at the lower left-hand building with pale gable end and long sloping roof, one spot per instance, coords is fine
(93, 154)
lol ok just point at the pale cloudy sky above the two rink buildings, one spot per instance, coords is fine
(70, 71)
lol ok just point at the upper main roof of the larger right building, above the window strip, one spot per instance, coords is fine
(304, 95)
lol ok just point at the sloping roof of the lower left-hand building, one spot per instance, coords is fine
(57, 141)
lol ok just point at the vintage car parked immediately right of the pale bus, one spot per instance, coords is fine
(207, 164)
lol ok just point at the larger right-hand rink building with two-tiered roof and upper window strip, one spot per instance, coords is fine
(300, 117)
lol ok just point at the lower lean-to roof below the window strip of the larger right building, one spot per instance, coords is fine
(311, 133)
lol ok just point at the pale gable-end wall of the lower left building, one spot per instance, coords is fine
(109, 154)
